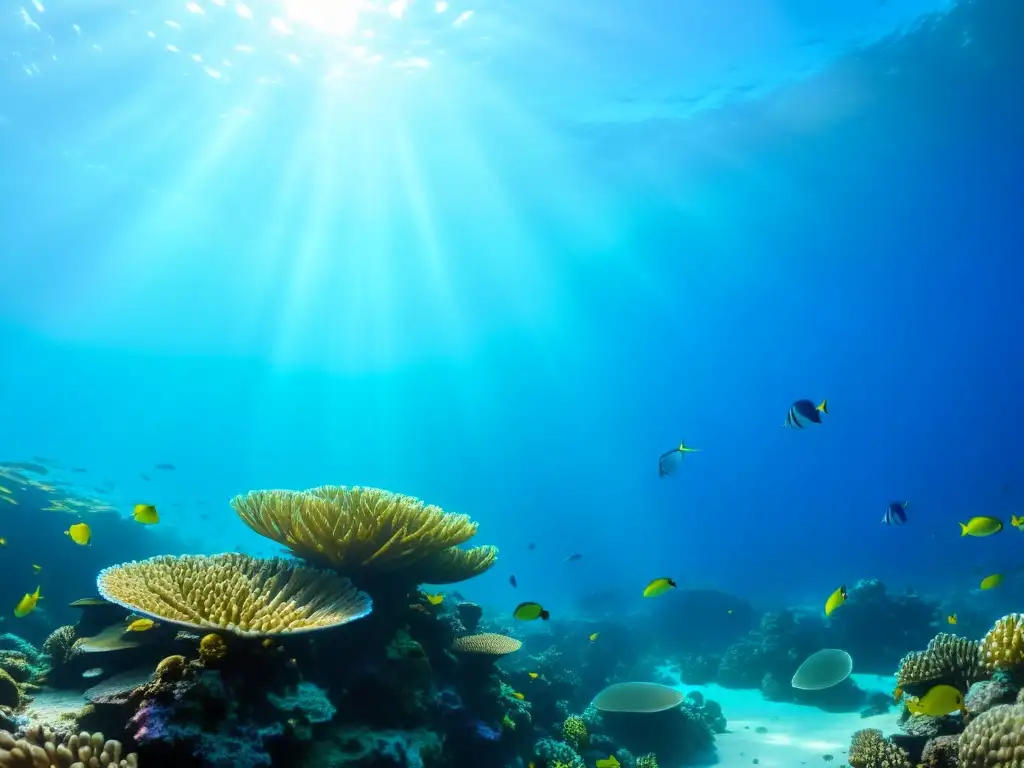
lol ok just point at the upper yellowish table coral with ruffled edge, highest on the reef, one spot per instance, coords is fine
(368, 532)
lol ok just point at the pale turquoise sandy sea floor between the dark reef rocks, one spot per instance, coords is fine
(794, 735)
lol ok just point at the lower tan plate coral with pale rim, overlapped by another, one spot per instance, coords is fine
(237, 593)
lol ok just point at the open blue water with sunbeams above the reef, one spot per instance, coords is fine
(501, 257)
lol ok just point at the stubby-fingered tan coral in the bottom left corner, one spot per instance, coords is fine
(40, 749)
